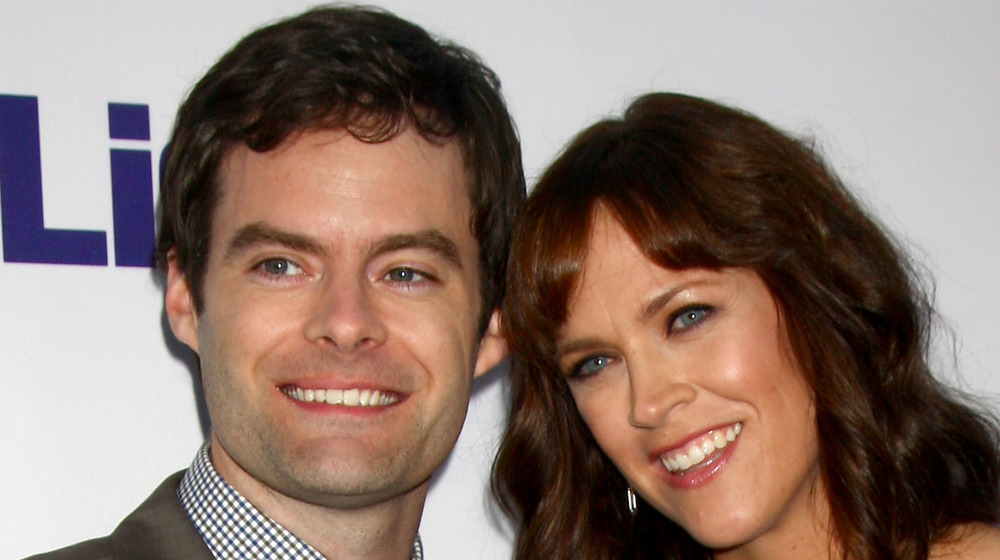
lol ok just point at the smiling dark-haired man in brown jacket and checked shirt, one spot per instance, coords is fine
(335, 212)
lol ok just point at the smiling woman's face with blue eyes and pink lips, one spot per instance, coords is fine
(688, 385)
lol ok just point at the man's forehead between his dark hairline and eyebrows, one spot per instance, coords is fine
(400, 187)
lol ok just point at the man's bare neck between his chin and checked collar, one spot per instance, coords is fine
(380, 531)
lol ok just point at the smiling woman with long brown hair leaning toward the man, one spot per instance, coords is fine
(704, 315)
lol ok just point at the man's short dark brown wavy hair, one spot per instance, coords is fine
(359, 69)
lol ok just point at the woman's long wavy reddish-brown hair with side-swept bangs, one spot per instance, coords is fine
(903, 458)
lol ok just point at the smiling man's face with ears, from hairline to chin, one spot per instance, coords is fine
(338, 335)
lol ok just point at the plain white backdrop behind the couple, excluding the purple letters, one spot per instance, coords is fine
(98, 405)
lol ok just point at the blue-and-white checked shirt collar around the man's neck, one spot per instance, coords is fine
(232, 528)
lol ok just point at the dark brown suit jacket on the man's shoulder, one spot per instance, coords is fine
(158, 530)
